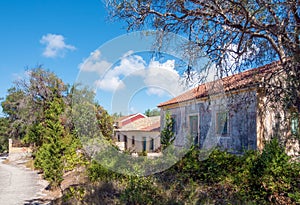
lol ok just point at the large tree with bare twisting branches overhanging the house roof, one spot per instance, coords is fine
(235, 34)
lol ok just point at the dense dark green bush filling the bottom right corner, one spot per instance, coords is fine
(271, 173)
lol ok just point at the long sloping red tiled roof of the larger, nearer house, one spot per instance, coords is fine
(237, 81)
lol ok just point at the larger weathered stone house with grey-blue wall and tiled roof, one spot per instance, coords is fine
(232, 113)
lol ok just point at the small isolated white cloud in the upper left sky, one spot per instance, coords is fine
(55, 45)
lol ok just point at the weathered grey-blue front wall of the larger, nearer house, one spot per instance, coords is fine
(241, 109)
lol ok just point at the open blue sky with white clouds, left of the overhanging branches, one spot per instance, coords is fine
(67, 37)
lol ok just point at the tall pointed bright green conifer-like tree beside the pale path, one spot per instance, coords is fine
(59, 150)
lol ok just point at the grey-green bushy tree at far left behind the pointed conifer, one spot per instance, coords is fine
(27, 102)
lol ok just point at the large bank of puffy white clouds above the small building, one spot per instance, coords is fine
(159, 78)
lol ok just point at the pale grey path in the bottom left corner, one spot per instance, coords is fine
(18, 185)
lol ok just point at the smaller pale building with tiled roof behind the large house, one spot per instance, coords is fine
(139, 135)
